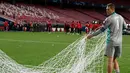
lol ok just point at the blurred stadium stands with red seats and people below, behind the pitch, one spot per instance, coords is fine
(57, 15)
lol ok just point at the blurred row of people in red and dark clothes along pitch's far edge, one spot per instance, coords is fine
(48, 26)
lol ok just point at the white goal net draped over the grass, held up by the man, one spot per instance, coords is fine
(79, 57)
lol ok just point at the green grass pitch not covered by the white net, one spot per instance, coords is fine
(33, 48)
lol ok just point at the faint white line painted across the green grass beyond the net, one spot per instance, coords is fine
(30, 41)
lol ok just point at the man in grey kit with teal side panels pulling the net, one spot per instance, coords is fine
(114, 23)
